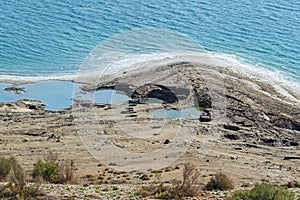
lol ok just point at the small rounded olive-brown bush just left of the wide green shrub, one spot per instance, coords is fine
(220, 182)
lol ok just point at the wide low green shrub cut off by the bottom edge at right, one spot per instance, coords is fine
(264, 191)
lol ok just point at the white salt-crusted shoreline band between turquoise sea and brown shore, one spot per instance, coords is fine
(223, 63)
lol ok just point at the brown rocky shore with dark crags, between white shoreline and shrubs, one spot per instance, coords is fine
(249, 130)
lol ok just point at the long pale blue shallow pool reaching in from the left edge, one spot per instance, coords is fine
(59, 94)
